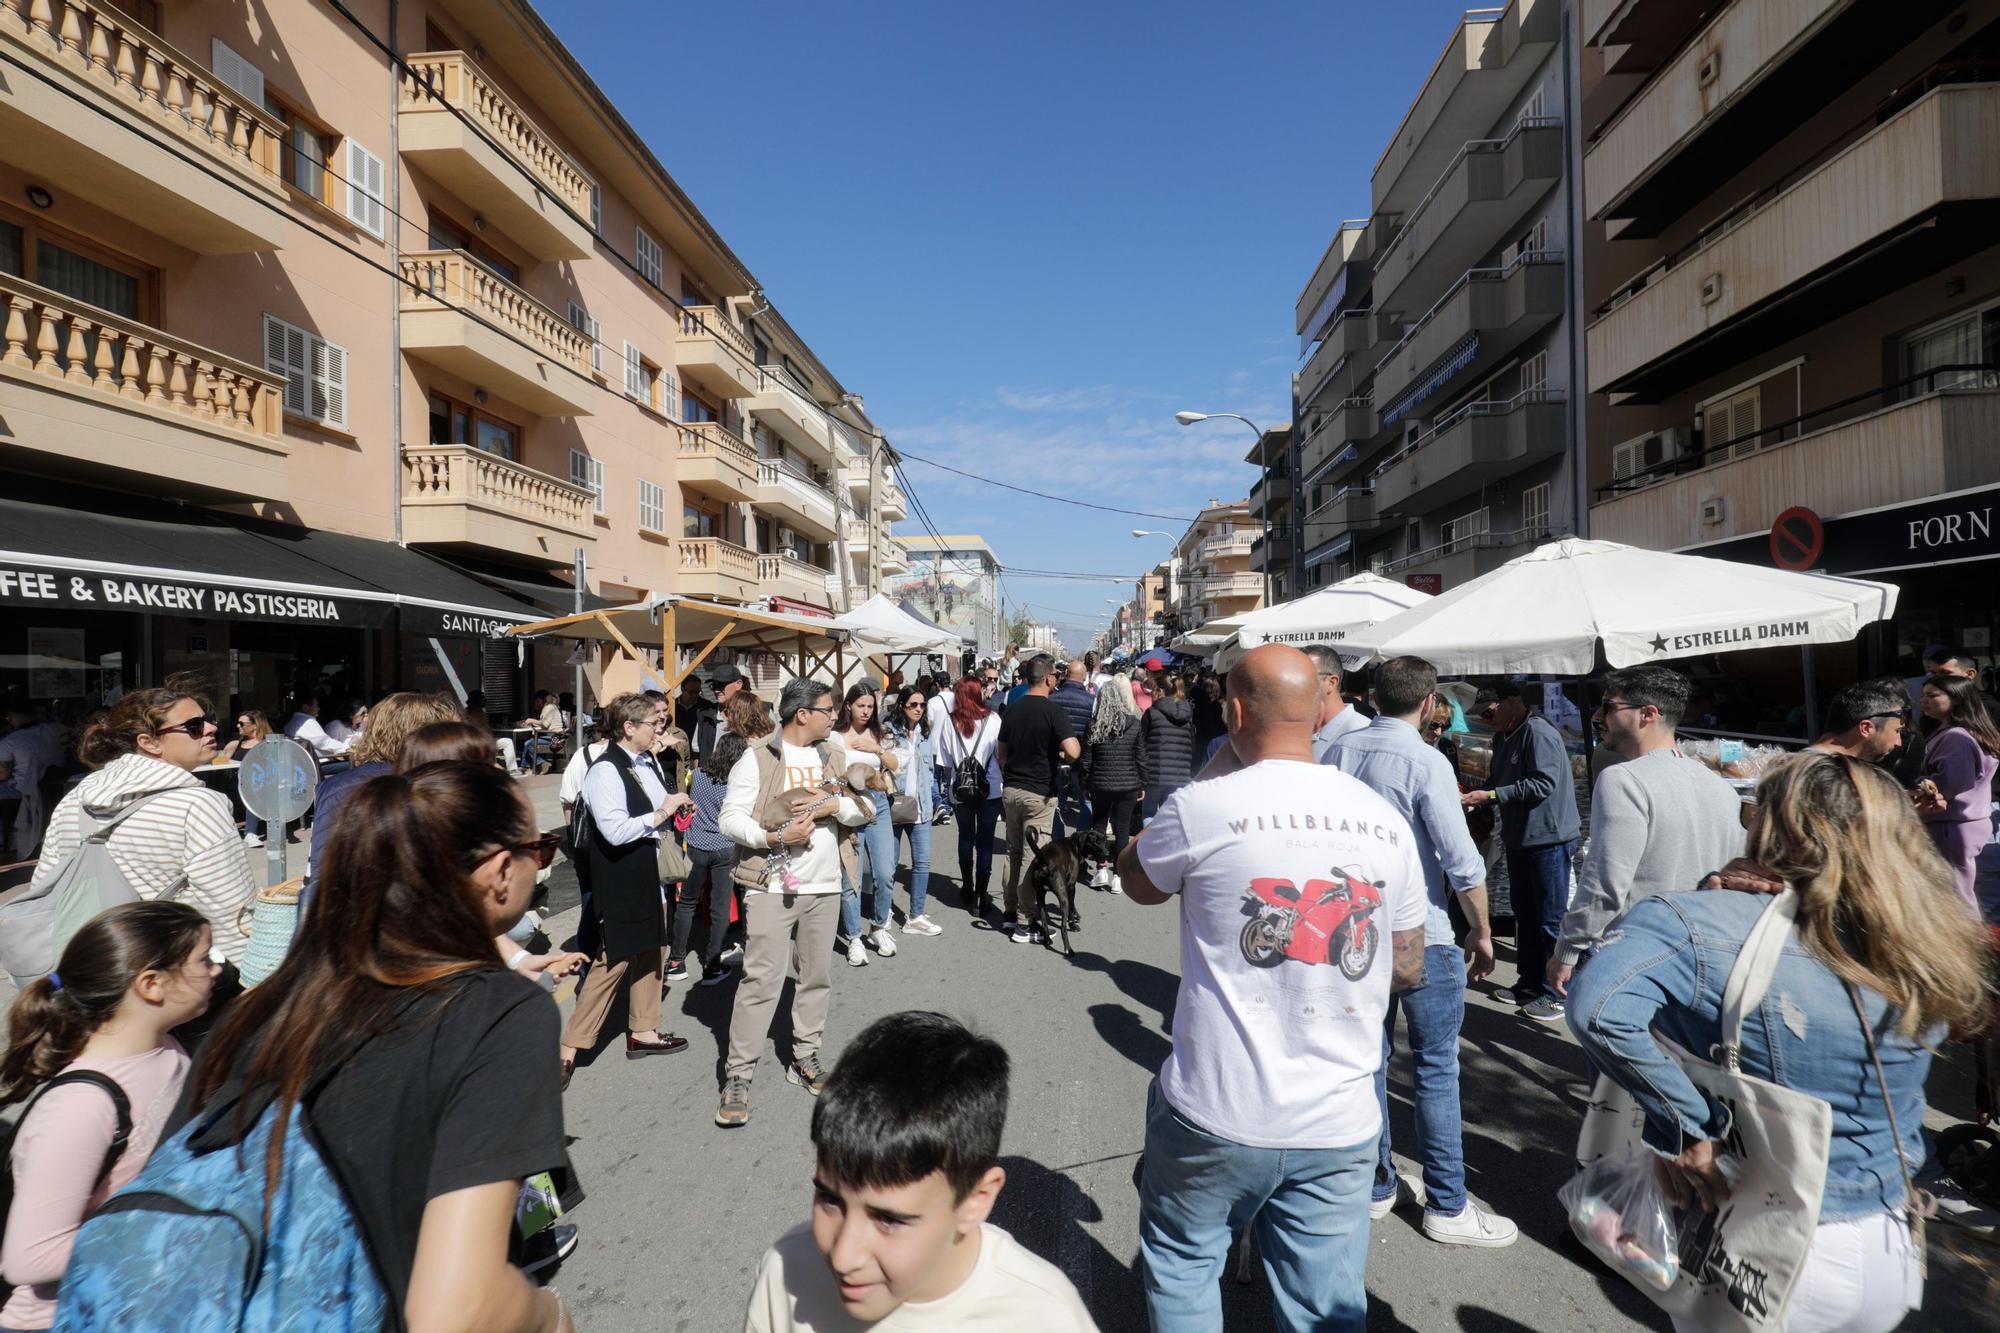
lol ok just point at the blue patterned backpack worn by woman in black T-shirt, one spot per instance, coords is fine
(185, 1246)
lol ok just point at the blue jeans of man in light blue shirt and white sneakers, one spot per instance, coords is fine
(1437, 1010)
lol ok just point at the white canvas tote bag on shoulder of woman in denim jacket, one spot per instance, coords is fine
(1739, 1264)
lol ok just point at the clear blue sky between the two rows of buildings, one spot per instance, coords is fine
(1031, 233)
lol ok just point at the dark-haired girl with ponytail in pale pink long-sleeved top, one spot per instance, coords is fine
(91, 1050)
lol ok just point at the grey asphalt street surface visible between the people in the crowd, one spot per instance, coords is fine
(679, 1212)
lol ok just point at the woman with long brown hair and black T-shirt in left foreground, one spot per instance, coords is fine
(419, 1064)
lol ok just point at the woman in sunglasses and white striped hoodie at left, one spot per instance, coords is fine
(177, 840)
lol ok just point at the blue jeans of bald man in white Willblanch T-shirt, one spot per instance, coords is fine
(1311, 1212)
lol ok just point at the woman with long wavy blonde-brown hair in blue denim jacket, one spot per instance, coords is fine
(1879, 930)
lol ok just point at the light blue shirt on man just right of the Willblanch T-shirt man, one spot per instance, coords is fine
(1393, 762)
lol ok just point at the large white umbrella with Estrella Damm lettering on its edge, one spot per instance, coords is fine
(1551, 609)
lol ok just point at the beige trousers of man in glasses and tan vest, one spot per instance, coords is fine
(769, 926)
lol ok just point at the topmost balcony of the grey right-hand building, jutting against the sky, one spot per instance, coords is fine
(1483, 71)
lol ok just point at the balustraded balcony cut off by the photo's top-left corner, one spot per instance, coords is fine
(105, 111)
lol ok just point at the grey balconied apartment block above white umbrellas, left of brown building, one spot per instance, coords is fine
(1431, 413)
